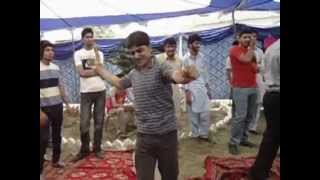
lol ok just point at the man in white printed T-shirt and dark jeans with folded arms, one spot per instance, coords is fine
(92, 89)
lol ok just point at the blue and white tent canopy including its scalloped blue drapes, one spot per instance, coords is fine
(60, 15)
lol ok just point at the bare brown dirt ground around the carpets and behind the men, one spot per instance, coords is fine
(192, 153)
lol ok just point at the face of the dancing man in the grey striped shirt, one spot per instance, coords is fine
(141, 55)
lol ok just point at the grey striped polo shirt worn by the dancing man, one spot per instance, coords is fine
(153, 101)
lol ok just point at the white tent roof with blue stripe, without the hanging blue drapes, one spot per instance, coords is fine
(63, 20)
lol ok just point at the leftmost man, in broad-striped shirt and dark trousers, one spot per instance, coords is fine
(52, 97)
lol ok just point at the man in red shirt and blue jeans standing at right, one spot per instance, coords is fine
(244, 69)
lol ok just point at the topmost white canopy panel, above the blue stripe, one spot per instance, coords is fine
(80, 8)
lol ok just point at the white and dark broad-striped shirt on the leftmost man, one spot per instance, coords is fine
(49, 85)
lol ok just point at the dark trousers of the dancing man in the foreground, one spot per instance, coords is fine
(157, 148)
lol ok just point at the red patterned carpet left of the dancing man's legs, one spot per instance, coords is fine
(116, 165)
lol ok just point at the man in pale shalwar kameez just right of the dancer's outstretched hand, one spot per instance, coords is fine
(197, 91)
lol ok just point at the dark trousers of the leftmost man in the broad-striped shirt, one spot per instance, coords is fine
(55, 117)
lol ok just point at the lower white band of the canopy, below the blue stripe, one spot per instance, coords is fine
(169, 26)
